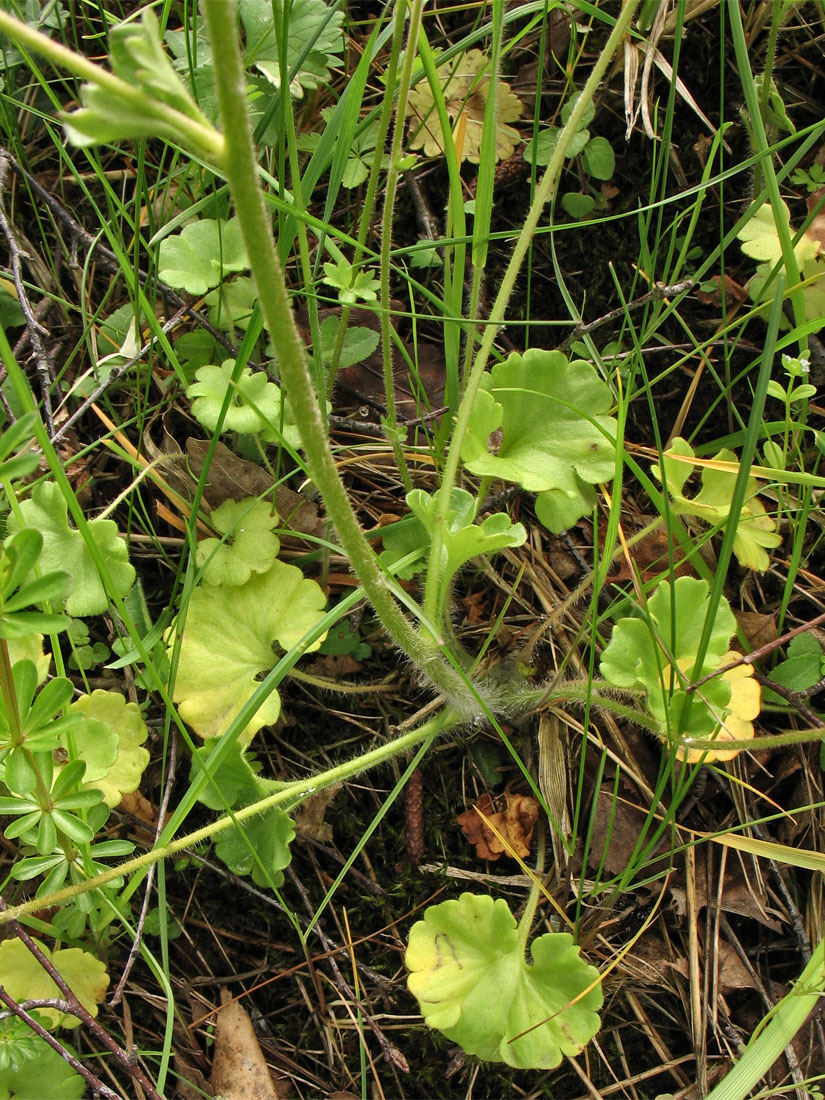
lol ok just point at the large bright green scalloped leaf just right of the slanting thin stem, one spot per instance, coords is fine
(557, 434)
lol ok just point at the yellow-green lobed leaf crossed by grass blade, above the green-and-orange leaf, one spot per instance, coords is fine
(755, 531)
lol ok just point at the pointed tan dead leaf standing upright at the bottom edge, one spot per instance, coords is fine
(239, 1068)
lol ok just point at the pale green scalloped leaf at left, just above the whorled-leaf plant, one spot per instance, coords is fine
(64, 549)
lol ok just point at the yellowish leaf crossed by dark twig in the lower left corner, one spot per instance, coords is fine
(26, 980)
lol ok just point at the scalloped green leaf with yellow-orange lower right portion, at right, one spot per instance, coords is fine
(655, 654)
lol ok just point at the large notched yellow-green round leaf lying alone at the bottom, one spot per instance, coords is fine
(471, 980)
